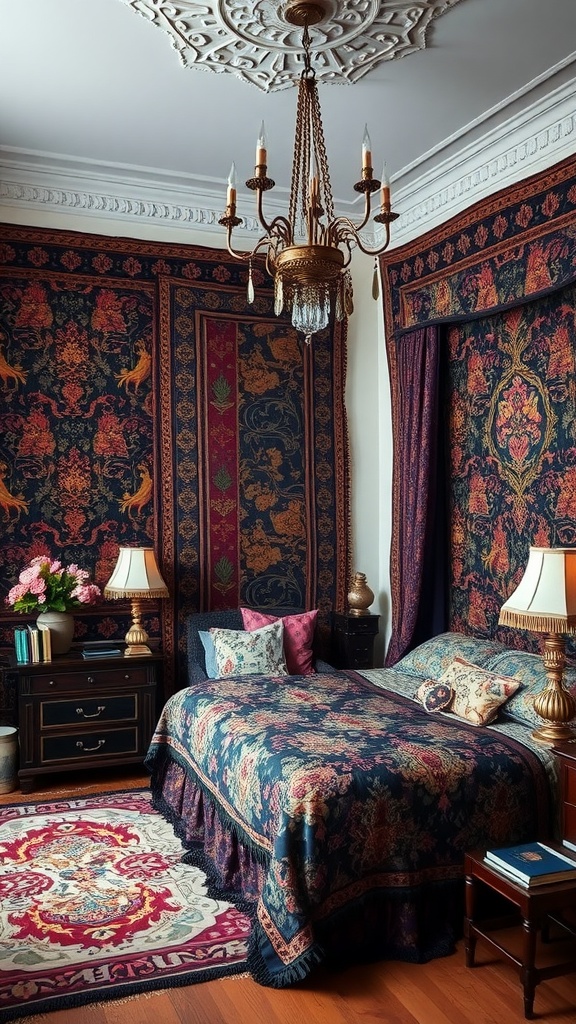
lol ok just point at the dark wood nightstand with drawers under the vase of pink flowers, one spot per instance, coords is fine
(77, 714)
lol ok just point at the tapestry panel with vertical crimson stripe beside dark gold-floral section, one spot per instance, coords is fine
(260, 461)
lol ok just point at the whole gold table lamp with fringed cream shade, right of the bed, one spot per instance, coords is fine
(545, 602)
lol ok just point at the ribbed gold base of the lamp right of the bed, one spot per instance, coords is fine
(555, 704)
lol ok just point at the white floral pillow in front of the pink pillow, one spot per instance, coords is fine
(240, 653)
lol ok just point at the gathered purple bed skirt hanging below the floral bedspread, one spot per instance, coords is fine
(415, 925)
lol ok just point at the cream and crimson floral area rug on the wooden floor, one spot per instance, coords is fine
(96, 904)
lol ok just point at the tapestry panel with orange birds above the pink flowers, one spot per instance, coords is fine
(76, 431)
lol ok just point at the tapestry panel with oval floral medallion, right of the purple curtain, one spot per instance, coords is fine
(513, 454)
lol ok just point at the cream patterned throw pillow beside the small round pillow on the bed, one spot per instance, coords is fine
(478, 694)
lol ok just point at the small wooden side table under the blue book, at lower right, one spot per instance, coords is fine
(537, 907)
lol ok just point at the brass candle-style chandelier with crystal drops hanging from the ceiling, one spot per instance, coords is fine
(309, 253)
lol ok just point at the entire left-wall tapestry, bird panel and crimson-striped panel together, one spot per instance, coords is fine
(146, 403)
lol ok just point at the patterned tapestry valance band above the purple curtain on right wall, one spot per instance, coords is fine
(519, 243)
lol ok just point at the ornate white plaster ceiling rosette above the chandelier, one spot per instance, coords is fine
(255, 40)
